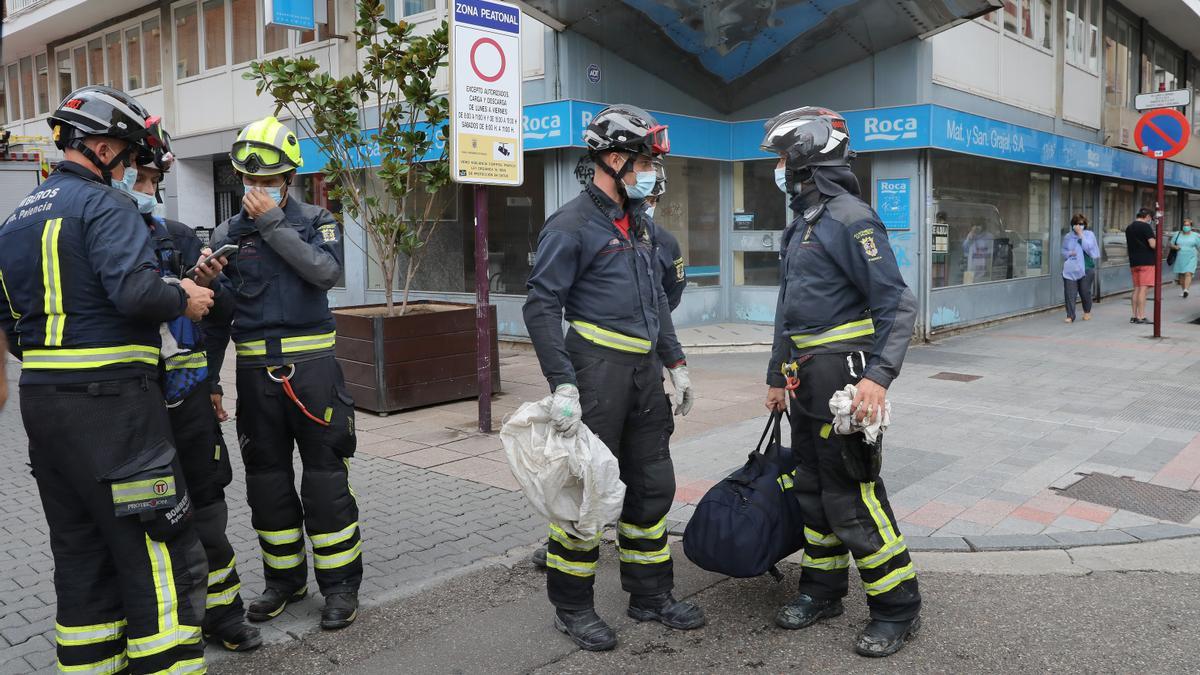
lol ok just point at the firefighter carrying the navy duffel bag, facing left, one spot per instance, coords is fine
(844, 318)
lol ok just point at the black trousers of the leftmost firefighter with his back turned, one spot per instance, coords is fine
(129, 570)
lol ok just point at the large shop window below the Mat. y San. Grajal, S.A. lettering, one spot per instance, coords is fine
(998, 216)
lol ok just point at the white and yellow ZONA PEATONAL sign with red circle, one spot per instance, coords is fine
(487, 117)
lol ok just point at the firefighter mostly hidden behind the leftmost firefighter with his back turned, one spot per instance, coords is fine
(194, 423)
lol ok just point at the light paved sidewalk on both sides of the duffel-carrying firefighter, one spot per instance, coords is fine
(976, 464)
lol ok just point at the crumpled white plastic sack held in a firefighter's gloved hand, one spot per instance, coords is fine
(574, 482)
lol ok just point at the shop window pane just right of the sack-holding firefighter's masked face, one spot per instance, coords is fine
(691, 211)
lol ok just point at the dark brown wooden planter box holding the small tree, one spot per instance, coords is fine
(419, 360)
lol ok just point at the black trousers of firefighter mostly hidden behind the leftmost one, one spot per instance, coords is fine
(206, 462)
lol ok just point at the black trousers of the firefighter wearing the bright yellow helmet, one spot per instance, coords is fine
(271, 426)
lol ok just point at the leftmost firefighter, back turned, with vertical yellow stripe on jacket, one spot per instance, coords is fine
(82, 306)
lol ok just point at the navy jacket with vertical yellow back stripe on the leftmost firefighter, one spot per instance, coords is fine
(82, 298)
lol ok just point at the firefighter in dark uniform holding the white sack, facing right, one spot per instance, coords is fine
(596, 267)
